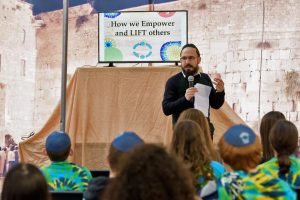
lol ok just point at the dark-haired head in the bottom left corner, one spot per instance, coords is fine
(25, 181)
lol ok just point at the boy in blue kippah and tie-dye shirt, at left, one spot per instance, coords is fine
(62, 175)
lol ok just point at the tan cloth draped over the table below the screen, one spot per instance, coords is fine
(102, 102)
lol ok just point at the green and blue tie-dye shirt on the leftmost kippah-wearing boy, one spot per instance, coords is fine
(66, 176)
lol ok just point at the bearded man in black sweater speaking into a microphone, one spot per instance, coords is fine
(180, 91)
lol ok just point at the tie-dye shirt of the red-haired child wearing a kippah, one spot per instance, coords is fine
(239, 185)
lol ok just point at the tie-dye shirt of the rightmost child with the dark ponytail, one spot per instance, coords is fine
(292, 177)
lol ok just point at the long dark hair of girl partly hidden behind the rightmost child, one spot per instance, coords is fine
(266, 124)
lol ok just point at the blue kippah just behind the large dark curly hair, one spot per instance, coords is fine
(126, 141)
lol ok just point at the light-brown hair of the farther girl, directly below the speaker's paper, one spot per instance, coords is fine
(197, 116)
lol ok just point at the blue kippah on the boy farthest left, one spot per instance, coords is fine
(57, 142)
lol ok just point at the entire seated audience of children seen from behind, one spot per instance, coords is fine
(188, 169)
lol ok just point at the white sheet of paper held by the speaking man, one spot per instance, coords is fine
(202, 98)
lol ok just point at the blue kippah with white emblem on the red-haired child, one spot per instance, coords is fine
(239, 135)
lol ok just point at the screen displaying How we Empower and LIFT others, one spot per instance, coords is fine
(142, 36)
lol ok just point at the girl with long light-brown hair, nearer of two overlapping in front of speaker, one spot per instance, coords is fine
(190, 145)
